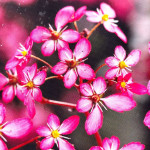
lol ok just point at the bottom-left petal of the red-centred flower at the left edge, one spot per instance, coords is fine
(8, 93)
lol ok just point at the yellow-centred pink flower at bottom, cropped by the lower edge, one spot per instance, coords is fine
(54, 132)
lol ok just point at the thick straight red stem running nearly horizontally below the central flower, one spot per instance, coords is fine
(58, 103)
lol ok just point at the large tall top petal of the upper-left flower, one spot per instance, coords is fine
(63, 16)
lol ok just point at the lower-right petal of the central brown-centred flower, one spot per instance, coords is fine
(85, 71)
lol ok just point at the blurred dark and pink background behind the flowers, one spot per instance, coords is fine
(19, 17)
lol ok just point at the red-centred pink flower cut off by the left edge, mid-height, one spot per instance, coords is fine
(10, 86)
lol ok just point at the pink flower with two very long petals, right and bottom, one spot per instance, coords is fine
(91, 100)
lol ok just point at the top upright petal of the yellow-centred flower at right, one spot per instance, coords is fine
(120, 53)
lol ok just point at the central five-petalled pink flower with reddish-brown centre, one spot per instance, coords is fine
(72, 63)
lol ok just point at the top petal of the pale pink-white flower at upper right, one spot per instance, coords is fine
(106, 9)
